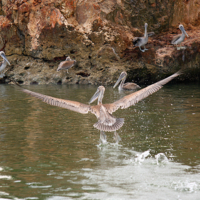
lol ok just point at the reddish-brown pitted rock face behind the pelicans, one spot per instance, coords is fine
(37, 35)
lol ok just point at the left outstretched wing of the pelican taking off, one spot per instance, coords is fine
(71, 105)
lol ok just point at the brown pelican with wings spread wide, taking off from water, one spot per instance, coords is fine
(106, 121)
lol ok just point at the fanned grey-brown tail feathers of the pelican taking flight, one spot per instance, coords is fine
(110, 128)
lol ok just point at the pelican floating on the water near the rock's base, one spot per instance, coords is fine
(125, 86)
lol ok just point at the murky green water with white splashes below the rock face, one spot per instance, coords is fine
(51, 153)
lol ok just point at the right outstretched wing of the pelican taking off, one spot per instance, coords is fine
(135, 97)
